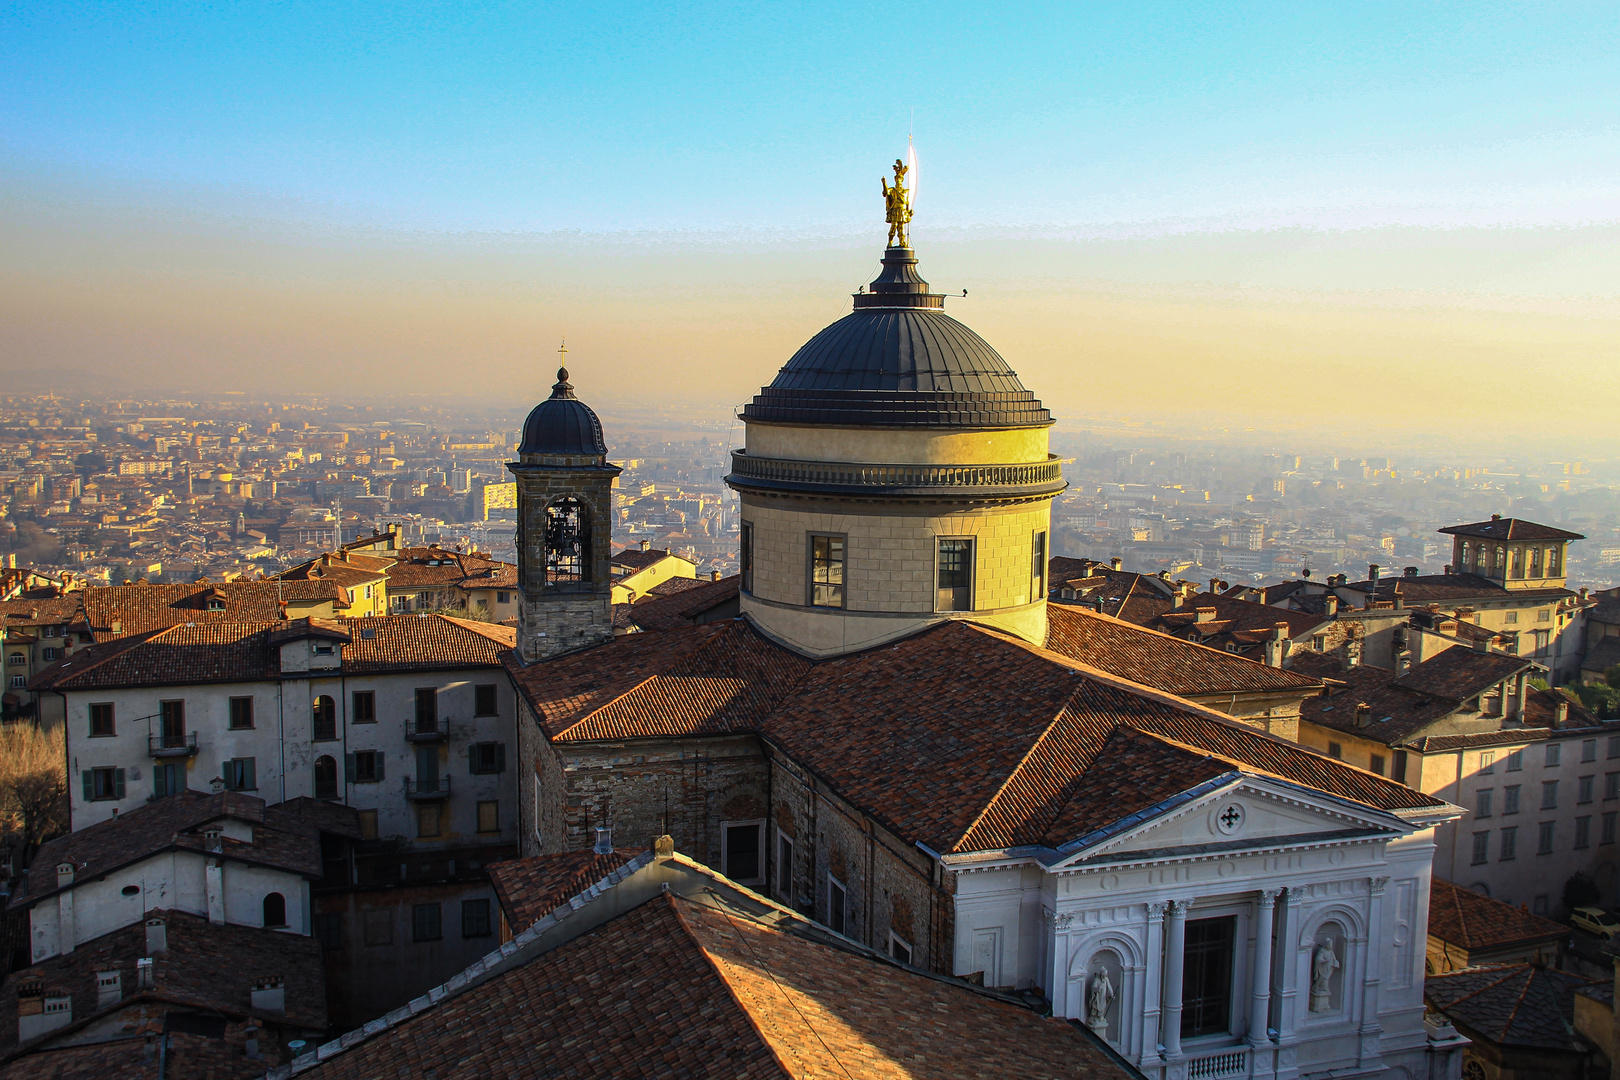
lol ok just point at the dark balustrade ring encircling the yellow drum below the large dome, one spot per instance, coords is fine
(898, 478)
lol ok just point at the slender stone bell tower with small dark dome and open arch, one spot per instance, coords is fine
(565, 527)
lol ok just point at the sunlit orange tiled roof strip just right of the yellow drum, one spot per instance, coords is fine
(1159, 660)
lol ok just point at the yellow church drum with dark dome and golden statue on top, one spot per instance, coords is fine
(895, 475)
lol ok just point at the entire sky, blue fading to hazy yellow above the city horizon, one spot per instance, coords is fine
(1248, 210)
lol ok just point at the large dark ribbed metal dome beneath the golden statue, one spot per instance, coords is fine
(898, 360)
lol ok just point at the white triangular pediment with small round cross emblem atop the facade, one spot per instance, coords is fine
(1238, 814)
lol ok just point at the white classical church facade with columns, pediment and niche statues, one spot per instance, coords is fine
(1281, 927)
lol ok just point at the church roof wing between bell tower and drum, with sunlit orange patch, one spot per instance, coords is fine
(712, 679)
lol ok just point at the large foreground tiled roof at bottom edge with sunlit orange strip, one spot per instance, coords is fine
(693, 990)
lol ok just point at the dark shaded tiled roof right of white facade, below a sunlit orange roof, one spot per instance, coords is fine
(1519, 1005)
